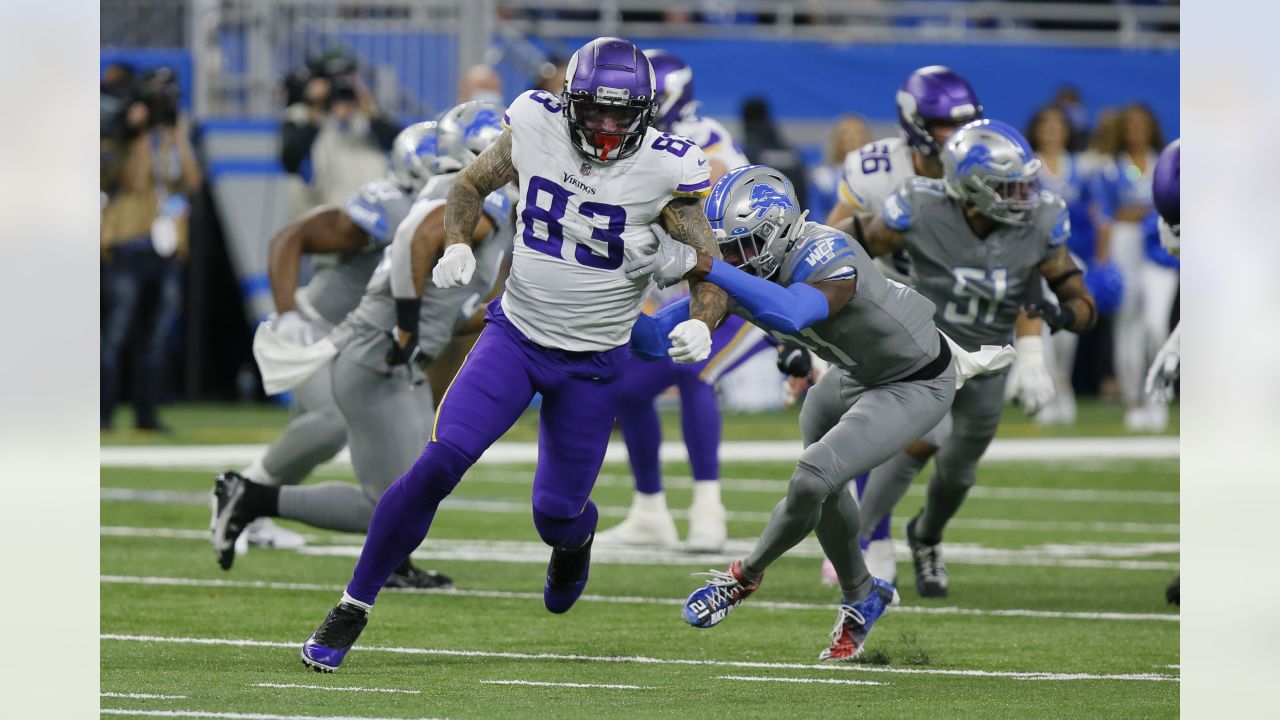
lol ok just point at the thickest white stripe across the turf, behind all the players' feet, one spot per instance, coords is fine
(506, 453)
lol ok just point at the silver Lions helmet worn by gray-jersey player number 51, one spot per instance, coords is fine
(990, 167)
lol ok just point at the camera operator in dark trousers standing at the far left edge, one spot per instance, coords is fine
(148, 171)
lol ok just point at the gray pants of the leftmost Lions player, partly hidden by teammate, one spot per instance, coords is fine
(316, 434)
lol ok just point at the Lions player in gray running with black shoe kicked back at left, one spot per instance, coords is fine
(378, 382)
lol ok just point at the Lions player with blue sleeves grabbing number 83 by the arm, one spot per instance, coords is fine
(893, 380)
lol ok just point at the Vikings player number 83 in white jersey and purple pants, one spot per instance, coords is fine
(593, 175)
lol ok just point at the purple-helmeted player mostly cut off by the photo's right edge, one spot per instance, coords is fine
(1165, 371)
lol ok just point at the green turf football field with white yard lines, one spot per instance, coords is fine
(1058, 610)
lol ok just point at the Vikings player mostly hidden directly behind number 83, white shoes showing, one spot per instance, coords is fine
(650, 522)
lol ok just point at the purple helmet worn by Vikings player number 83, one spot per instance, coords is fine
(609, 98)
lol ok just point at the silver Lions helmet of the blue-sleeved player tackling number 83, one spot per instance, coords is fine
(756, 216)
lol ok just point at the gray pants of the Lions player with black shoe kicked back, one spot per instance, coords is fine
(388, 425)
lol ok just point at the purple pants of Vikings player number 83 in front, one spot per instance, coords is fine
(493, 388)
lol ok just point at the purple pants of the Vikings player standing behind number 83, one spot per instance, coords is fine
(644, 381)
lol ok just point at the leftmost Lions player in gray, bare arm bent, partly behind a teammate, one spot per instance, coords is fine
(349, 244)
